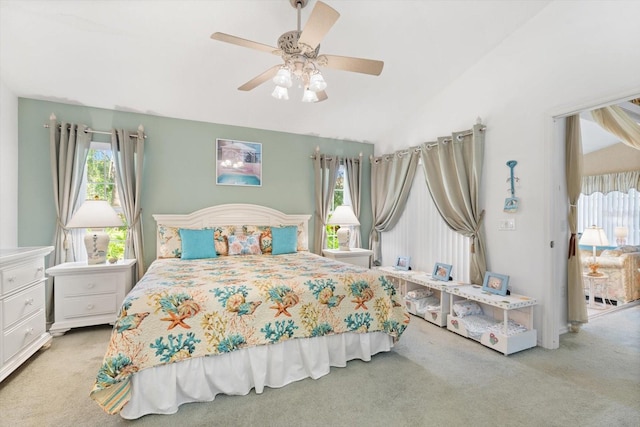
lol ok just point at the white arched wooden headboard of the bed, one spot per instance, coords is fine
(233, 214)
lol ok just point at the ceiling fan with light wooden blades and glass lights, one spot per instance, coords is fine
(300, 52)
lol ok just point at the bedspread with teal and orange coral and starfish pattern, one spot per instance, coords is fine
(182, 309)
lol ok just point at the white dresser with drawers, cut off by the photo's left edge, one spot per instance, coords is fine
(22, 305)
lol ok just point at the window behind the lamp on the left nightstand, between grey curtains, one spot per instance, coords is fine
(100, 181)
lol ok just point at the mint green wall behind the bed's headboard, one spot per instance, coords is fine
(179, 168)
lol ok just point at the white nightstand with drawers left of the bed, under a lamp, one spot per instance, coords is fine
(87, 295)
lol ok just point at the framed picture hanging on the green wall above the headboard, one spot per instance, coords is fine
(238, 163)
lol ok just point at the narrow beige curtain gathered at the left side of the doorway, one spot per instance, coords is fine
(577, 309)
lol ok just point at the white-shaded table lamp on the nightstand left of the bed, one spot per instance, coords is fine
(95, 214)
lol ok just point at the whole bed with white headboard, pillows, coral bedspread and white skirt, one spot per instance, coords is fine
(234, 301)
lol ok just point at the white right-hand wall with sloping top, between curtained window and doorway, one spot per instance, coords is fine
(572, 54)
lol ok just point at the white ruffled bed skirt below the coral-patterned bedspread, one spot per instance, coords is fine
(161, 390)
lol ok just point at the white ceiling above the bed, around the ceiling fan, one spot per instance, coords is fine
(156, 57)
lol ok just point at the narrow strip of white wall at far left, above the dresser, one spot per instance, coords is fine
(8, 167)
